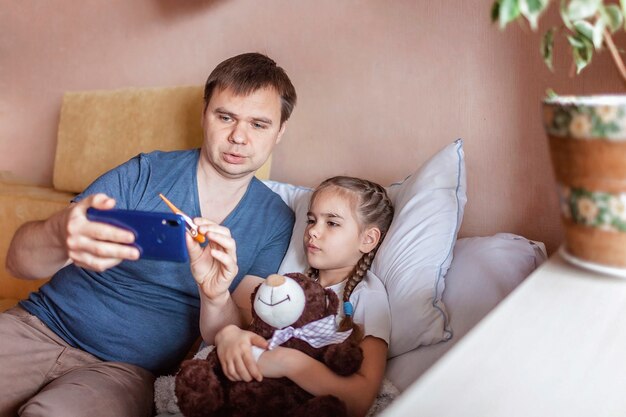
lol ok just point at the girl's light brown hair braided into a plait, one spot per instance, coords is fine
(372, 207)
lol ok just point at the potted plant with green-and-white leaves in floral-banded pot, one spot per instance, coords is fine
(587, 135)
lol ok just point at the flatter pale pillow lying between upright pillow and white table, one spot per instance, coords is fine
(483, 272)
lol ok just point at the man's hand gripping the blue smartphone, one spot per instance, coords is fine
(94, 245)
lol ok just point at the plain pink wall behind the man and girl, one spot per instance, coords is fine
(382, 85)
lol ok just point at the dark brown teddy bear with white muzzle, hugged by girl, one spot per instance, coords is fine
(284, 308)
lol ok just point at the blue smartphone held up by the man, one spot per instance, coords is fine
(158, 236)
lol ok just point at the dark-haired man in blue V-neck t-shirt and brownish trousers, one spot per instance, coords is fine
(90, 341)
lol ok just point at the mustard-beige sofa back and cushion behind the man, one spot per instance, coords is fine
(99, 130)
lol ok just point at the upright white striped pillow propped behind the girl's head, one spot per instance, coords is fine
(414, 257)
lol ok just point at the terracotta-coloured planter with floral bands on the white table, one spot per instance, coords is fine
(587, 137)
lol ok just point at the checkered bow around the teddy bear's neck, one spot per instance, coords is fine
(318, 333)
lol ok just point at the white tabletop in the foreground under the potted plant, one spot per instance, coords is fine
(555, 347)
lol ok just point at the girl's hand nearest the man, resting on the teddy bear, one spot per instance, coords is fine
(234, 350)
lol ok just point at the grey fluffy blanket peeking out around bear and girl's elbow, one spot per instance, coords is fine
(165, 400)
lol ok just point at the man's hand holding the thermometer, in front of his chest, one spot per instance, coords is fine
(214, 266)
